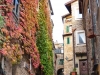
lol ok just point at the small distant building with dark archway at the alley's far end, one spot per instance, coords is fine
(58, 58)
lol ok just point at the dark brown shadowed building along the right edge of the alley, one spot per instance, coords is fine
(91, 12)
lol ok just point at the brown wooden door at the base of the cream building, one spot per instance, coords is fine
(83, 67)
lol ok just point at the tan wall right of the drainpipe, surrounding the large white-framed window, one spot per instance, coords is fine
(78, 26)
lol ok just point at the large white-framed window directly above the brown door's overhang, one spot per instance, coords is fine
(80, 37)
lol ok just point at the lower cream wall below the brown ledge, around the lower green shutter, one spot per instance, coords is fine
(68, 55)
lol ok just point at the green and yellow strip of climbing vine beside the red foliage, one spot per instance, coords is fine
(44, 41)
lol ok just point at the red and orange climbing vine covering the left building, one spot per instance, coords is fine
(19, 37)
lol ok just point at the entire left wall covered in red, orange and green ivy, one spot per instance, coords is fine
(19, 39)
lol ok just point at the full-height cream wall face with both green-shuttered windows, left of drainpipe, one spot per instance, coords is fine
(68, 48)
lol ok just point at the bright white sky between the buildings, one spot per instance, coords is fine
(59, 10)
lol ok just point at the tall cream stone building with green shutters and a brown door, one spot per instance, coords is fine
(75, 55)
